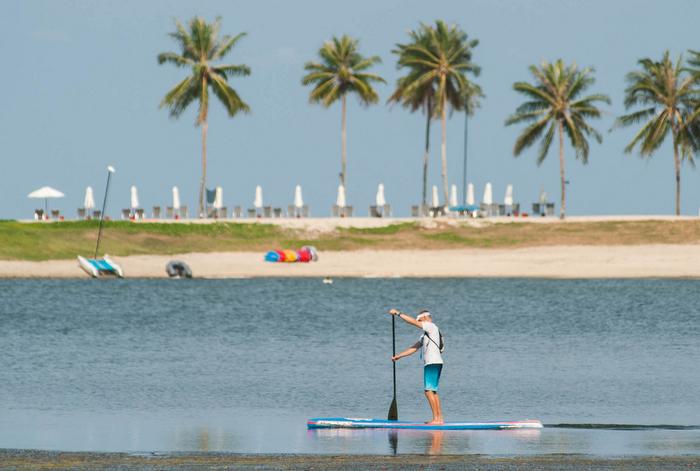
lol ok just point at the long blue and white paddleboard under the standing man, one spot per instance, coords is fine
(346, 422)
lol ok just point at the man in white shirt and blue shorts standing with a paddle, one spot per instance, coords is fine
(429, 343)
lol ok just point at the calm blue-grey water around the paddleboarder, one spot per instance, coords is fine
(239, 365)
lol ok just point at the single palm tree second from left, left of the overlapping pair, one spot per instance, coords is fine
(341, 70)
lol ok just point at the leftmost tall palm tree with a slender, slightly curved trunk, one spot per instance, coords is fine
(201, 46)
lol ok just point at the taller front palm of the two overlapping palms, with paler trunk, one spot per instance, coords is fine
(439, 59)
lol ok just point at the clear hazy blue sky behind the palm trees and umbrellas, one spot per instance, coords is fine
(81, 88)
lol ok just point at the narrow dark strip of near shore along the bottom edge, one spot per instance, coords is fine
(40, 459)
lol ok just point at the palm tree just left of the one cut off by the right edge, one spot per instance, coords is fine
(668, 94)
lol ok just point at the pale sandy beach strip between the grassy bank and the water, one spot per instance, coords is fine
(641, 261)
